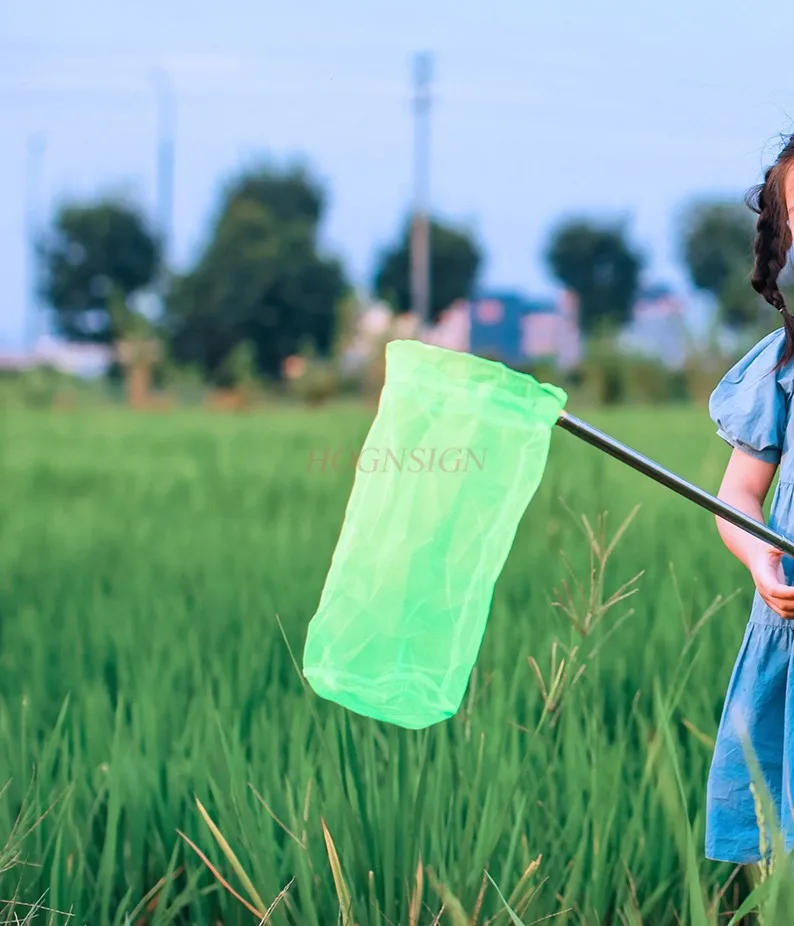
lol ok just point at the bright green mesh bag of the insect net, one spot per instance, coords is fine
(455, 453)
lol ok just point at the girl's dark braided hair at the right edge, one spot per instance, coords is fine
(773, 239)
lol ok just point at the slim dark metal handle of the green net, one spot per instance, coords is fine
(656, 472)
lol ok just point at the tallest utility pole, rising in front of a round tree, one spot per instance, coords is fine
(420, 226)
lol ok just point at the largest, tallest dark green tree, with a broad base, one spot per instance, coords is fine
(260, 280)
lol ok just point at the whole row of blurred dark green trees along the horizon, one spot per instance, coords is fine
(262, 280)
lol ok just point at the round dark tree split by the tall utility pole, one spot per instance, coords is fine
(455, 260)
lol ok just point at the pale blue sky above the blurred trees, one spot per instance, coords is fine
(605, 109)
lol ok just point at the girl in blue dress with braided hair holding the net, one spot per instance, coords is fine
(752, 408)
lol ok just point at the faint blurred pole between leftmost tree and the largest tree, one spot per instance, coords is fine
(166, 121)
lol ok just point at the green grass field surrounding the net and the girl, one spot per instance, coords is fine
(147, 691)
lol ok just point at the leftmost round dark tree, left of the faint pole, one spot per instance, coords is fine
(94, 256)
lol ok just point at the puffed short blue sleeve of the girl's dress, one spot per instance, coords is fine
(750, 405)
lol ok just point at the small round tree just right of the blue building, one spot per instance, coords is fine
(600, 266)
